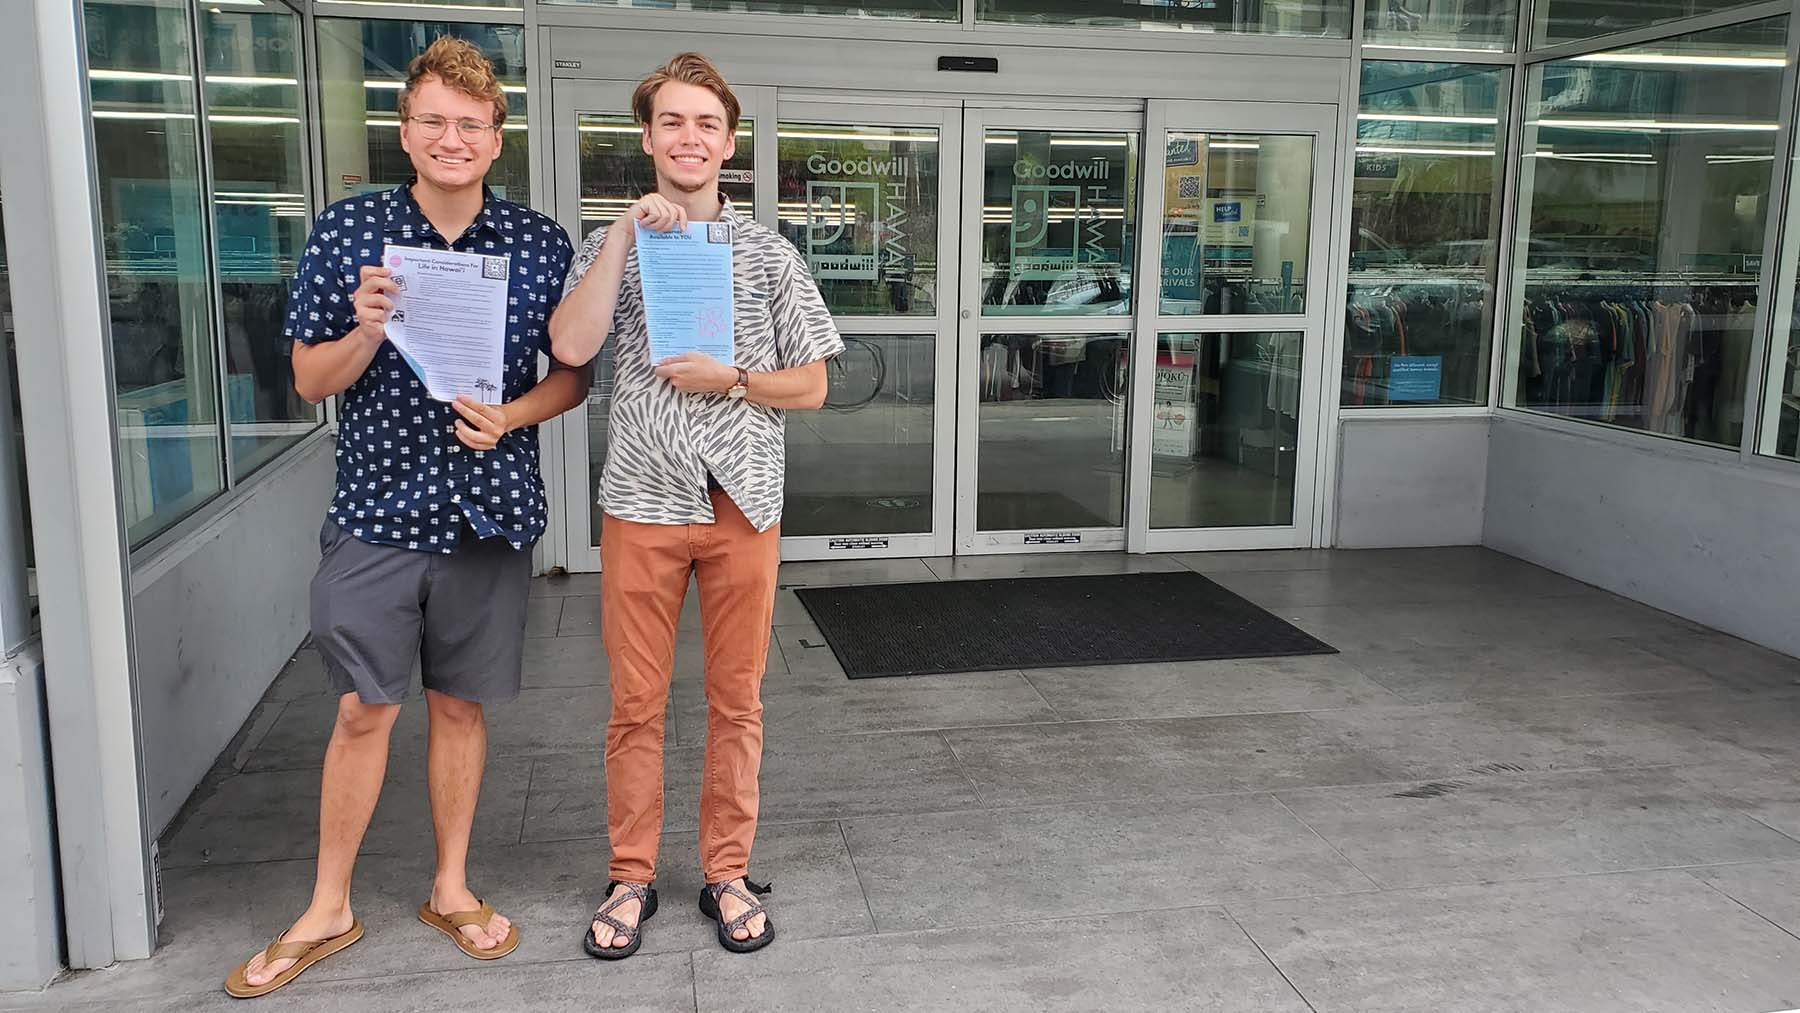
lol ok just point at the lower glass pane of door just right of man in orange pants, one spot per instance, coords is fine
(863, 465)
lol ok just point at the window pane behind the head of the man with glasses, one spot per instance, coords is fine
(363, 66)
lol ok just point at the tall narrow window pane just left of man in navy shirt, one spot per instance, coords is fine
(260, 219)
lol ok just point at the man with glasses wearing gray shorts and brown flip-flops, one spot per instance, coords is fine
(427, 544)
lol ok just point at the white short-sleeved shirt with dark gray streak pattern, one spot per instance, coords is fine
(663, 444)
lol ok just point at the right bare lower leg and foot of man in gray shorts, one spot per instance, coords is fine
(458, 758)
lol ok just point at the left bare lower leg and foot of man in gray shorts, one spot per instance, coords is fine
(352, 784)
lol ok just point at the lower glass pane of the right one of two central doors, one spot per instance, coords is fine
(1052, 429)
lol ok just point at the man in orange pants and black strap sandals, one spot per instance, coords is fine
(692, 487)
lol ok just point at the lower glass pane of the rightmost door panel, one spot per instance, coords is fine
(1225, 431)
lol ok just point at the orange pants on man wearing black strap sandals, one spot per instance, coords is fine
(643, 582)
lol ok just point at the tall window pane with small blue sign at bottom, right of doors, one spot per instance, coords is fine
(1425, 235)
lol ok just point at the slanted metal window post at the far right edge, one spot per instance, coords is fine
(1776, 289)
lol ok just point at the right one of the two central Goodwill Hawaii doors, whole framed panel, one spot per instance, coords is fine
(1050, 231)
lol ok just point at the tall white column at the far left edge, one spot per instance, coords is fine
(66, 382)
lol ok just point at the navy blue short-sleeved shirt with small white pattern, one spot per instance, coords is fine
(402, 476)
